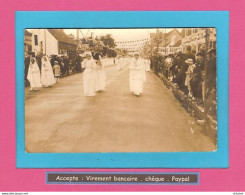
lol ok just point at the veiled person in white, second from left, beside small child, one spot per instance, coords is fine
(47, 74)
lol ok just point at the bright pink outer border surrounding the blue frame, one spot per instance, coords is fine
(12, 179)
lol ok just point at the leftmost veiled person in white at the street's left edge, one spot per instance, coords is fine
(33, 75)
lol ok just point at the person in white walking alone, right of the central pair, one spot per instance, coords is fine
(137, 75)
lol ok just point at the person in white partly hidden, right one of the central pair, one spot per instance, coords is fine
(100, 75)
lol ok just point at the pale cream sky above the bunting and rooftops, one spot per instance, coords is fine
(117, 34)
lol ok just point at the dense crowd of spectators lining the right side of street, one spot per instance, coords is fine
(187, 72)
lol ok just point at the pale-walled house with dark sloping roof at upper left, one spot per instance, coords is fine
(52, 42)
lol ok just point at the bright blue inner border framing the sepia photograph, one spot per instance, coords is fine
(119, 19)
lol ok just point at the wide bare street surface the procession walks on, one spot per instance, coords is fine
(61, 119)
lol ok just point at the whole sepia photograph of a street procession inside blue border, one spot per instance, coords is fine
(120, 90)
